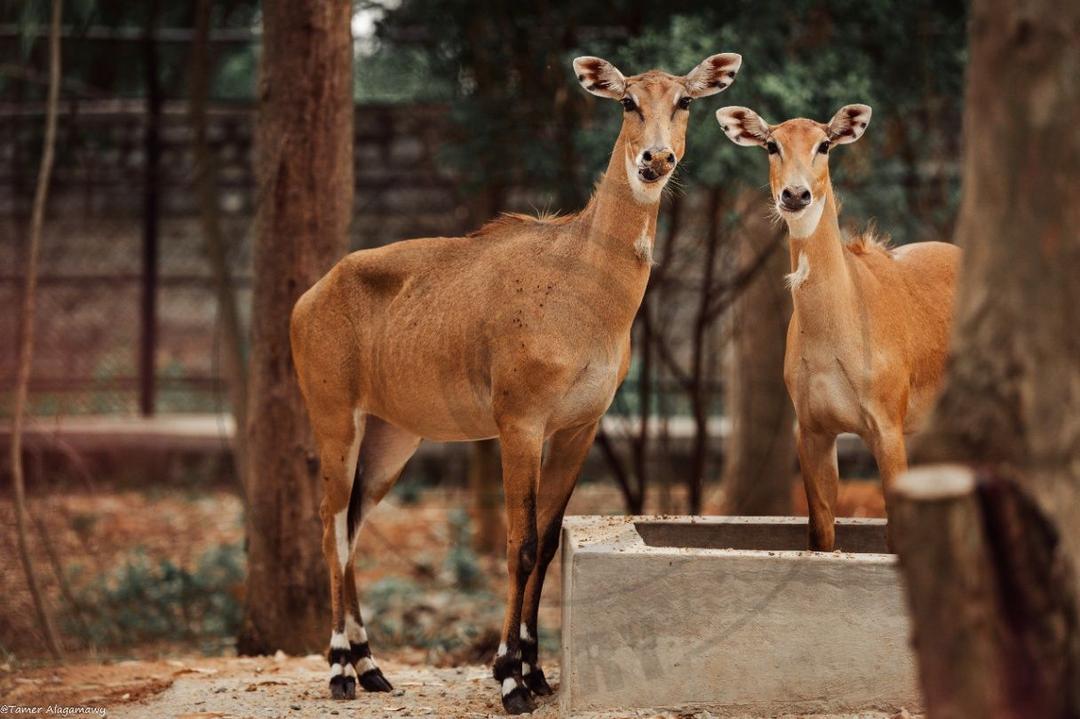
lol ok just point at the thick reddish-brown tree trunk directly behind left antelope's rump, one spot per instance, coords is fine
(304, 155)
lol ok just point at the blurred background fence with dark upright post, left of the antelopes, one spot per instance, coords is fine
(127, 310)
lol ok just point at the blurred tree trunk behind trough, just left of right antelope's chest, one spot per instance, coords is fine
(760, 460)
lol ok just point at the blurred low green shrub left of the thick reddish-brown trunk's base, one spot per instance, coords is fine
(144, 601)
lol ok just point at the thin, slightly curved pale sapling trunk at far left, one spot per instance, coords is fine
(26, 334)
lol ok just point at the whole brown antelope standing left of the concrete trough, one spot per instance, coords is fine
(520, 331)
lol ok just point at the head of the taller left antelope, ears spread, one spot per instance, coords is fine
(656, 107)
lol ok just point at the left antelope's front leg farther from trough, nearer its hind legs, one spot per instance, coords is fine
(522, 447)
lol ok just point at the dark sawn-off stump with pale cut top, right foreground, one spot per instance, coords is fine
(993, 637)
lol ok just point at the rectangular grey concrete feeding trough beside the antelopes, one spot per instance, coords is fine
(730, 615)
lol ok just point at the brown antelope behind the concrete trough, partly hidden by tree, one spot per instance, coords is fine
(868, 341)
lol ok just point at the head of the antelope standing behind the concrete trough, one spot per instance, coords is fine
(799, 157)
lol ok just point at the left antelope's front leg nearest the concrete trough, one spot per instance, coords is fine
(566, 453)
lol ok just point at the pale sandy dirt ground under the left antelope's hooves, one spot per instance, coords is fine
(281, 687)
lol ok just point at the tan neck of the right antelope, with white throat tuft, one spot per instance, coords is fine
(820, 280)
